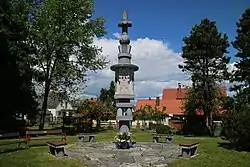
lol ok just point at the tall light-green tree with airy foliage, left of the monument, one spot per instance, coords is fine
(63, 33)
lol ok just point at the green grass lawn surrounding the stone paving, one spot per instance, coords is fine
(210, 155)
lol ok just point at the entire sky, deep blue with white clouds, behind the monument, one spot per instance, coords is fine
(156, 38)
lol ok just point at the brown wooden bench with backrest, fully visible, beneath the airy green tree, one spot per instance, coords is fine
(34, 134)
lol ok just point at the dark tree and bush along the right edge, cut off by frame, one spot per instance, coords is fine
(236, 124)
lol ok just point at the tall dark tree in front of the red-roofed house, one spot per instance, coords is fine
(205, 60)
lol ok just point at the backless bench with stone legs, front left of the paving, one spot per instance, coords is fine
(57, 148)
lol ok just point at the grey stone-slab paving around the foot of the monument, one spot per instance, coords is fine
(105, 154)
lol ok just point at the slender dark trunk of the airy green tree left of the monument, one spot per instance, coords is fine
(44, 107)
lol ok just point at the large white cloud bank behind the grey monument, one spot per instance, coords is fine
(158, 67)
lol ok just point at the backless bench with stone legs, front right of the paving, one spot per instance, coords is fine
(189, 149)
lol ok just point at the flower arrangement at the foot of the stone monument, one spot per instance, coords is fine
(123, 140)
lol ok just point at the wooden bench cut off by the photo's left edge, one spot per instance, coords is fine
(15, 136)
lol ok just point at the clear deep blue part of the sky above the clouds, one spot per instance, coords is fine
(170, 20)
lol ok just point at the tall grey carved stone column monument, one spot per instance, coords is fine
(124, 77)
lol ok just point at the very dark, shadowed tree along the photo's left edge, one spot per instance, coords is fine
(15, 71)
